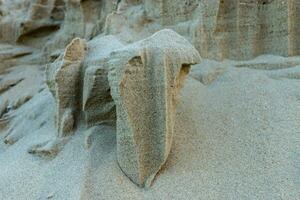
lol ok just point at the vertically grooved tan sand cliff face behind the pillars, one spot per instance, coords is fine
(218, 29)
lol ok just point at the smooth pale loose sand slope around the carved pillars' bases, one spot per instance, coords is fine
(237, 137)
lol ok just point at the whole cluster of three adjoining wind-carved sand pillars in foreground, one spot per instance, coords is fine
(144, 80)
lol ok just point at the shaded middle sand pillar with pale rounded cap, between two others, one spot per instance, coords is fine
(97, 104)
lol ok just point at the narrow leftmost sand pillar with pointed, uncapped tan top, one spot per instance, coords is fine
(64, 79)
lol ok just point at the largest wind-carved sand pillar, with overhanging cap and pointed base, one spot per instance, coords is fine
(145, 80)
